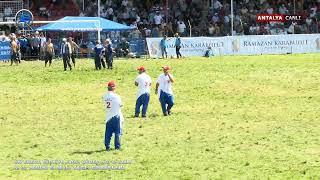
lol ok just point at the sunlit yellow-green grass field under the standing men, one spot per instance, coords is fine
(248, 117)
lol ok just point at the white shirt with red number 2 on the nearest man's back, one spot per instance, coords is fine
(113, 105)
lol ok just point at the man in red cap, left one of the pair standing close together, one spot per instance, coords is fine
(143, 81)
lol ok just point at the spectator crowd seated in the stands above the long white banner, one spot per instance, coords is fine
(153, 19)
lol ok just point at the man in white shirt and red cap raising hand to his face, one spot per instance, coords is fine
(164, 90)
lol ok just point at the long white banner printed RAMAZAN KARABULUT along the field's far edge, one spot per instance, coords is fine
(239, 45)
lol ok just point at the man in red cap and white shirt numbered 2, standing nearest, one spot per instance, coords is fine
(114, 117)
